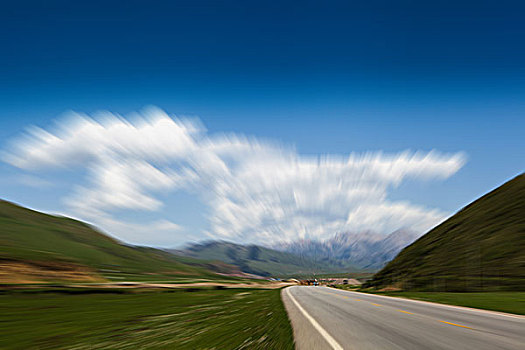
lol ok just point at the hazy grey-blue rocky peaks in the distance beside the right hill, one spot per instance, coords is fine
(367, 250)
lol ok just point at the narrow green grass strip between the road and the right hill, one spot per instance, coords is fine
(510, 302)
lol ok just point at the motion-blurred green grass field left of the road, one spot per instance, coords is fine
(190, 319)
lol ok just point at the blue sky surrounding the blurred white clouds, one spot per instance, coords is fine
(333, 79)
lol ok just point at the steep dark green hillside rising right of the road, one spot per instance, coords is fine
(482, 247)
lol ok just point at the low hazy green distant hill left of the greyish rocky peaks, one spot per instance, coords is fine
(258, 260)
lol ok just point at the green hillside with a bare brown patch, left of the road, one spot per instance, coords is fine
(35, 246)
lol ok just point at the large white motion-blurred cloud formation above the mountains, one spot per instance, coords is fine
(257, 191)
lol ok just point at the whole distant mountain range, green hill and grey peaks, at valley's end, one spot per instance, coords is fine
(344, 252)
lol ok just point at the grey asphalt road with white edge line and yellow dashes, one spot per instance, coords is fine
(327, 318)
